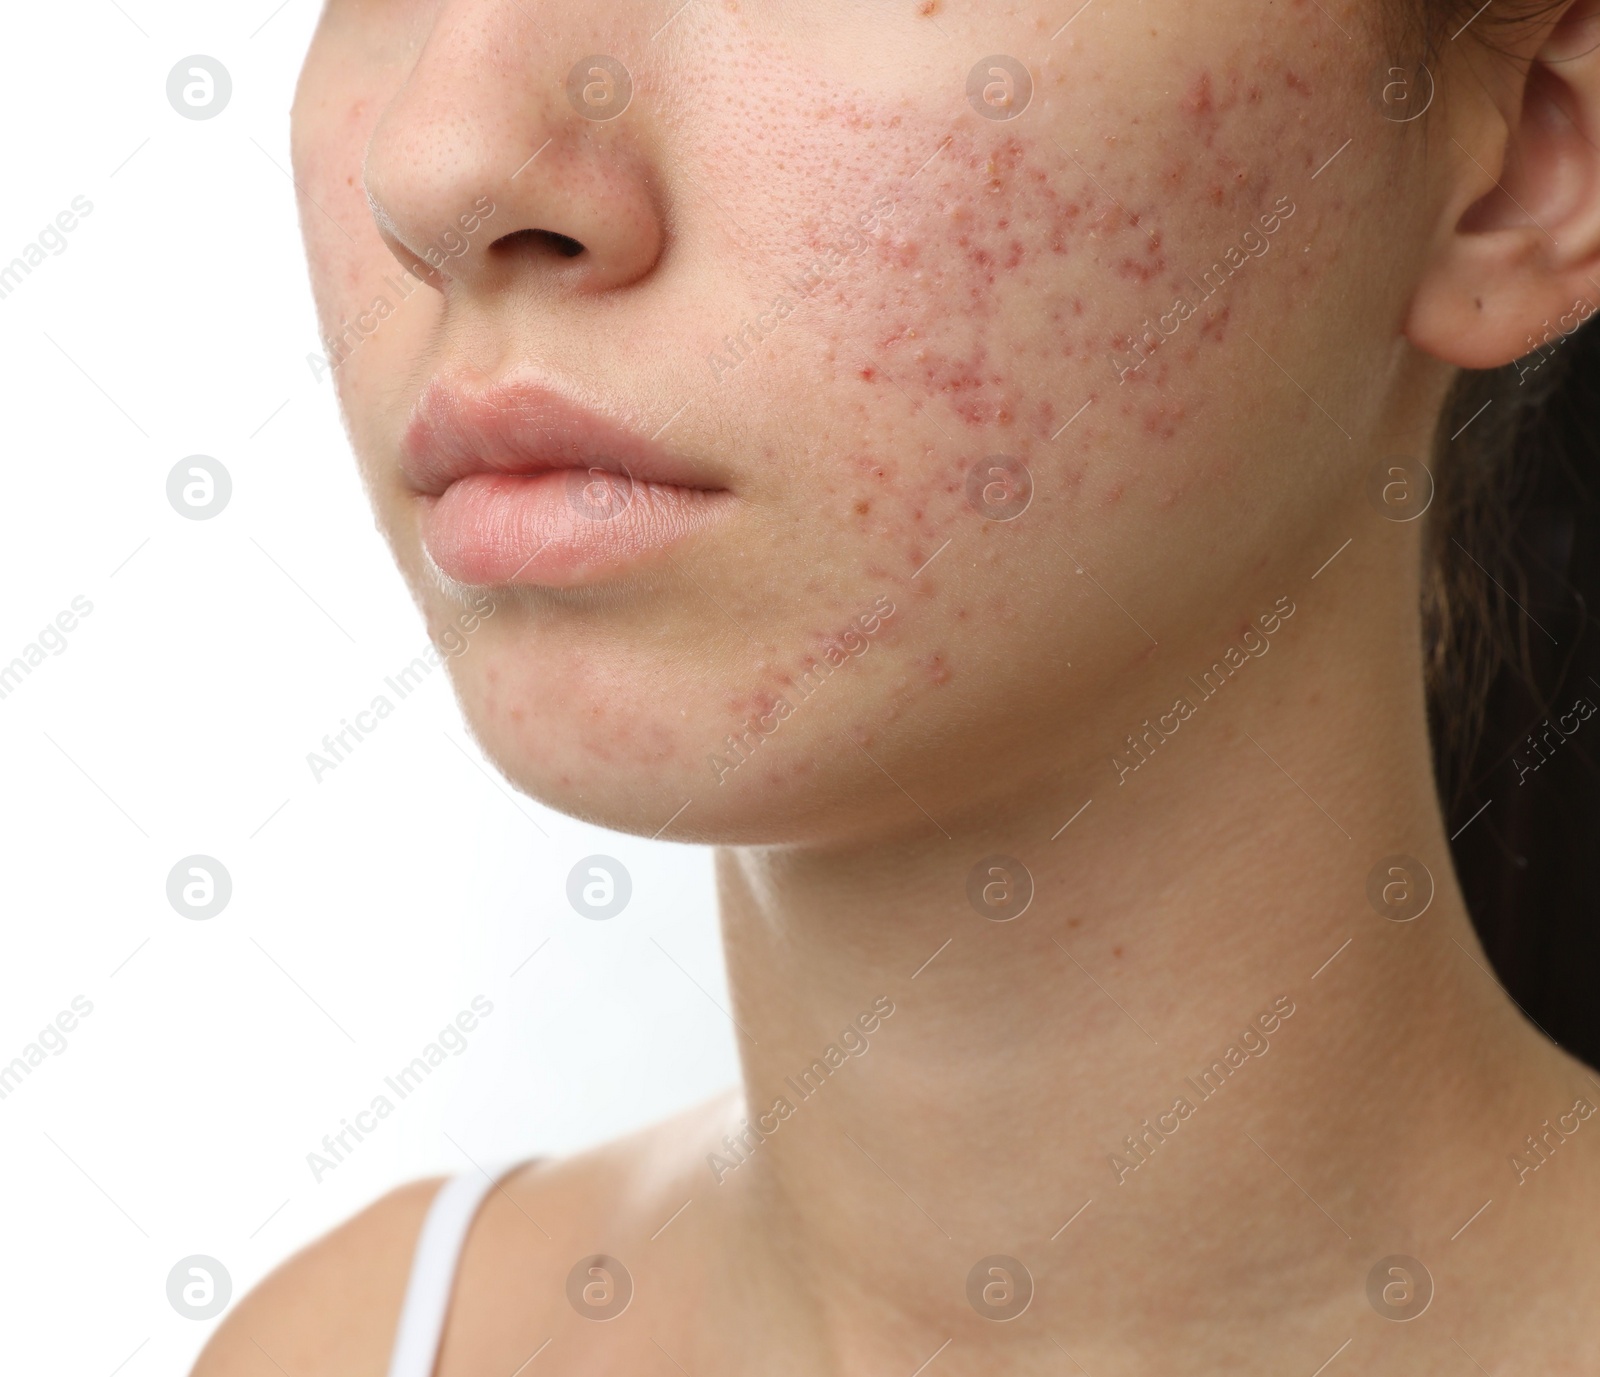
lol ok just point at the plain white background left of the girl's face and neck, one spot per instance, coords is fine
(369, 908)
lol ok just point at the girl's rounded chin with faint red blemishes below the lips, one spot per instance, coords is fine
(642, 736)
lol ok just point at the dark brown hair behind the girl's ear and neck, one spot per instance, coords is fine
(1510, 602)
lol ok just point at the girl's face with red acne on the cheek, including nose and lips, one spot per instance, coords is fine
(929, 388)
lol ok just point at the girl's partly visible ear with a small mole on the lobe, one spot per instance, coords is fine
(1518, 261)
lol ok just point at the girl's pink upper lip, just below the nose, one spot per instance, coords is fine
(524, 426)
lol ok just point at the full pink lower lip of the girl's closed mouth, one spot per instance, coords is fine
(561, 529)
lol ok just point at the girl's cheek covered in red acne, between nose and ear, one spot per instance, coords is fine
(1086, 293)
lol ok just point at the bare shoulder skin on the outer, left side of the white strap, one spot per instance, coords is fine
(332, 1309)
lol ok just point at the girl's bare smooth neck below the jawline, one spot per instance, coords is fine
(1199, 1029)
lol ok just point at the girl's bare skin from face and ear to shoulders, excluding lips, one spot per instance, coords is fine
(1212, 497)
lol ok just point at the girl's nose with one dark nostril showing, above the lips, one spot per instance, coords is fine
(514, 158)
